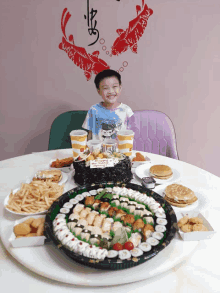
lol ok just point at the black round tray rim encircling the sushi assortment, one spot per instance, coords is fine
(115, 263)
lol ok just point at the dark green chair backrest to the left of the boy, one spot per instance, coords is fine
(62, 126)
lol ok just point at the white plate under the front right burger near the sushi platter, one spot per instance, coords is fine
(202, 203)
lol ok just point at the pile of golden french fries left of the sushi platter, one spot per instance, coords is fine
(34, 197)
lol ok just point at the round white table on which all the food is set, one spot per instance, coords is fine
(195, 270)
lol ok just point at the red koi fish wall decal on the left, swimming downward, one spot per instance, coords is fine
(90, 63)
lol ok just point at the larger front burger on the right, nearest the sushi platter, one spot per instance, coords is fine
(179, 195)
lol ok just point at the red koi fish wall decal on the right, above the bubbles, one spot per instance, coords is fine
(133, 33)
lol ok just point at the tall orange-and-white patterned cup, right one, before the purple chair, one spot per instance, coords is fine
(125, 142)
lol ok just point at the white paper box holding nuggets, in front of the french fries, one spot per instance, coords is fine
(26, 241)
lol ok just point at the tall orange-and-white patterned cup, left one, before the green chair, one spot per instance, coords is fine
(78, 141)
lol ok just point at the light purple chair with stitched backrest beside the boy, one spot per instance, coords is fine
(154, 133)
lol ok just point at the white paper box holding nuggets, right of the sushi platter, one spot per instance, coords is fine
(196, 235)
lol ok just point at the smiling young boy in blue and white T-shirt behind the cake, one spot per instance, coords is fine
(106, 118)
